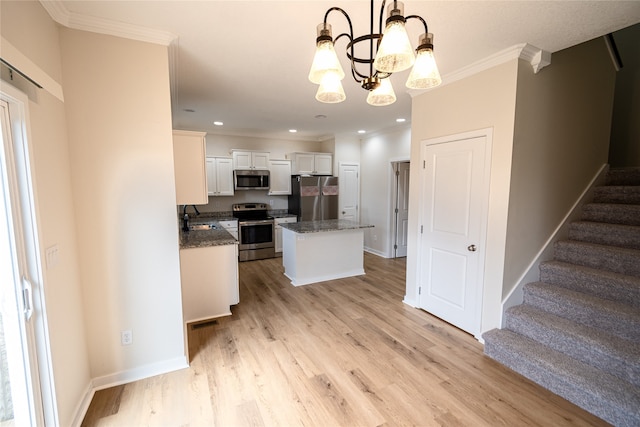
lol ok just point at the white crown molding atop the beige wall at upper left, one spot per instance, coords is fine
(62, 16)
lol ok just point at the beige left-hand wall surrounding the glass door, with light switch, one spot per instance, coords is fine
(28, 28)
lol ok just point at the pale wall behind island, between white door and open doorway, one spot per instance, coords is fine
(376, 180)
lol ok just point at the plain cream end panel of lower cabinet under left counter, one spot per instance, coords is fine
(209, 278)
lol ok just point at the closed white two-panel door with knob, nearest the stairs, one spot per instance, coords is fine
(453, 223)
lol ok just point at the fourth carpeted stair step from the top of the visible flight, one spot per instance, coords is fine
(624, 236)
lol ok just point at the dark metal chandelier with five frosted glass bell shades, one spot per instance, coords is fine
(393, 53)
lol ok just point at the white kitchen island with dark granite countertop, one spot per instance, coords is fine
(316, 251)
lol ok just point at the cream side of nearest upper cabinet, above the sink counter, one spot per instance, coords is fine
(190, 167)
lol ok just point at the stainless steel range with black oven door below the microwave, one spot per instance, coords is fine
(256, 231)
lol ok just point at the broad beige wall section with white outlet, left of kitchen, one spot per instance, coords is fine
(121, 151)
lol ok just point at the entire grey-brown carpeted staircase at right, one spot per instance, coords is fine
(577, 332)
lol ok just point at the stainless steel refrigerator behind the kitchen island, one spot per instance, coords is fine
(314, 198)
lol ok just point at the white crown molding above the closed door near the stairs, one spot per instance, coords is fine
(537, 57)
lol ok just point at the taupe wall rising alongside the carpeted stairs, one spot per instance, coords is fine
(561, 141)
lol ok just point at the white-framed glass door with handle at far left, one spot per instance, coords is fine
(22, 389)
